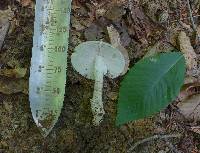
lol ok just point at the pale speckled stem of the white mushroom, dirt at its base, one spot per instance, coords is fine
(96, 102)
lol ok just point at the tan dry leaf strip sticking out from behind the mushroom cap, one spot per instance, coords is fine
(116, 42)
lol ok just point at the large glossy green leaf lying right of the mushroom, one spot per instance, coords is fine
(150, 86)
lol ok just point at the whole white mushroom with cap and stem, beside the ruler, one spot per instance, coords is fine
(94, 59)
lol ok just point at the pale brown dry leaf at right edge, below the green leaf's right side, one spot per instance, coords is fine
(190, 108)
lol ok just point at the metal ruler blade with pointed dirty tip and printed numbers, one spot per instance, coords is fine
(49, 62)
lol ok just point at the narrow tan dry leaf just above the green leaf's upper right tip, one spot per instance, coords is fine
(188, 51)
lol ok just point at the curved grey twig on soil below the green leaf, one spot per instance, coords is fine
(151, 139)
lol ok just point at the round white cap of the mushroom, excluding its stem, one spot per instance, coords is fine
(83, 59)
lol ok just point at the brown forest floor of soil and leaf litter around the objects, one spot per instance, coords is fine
(143, 25)
